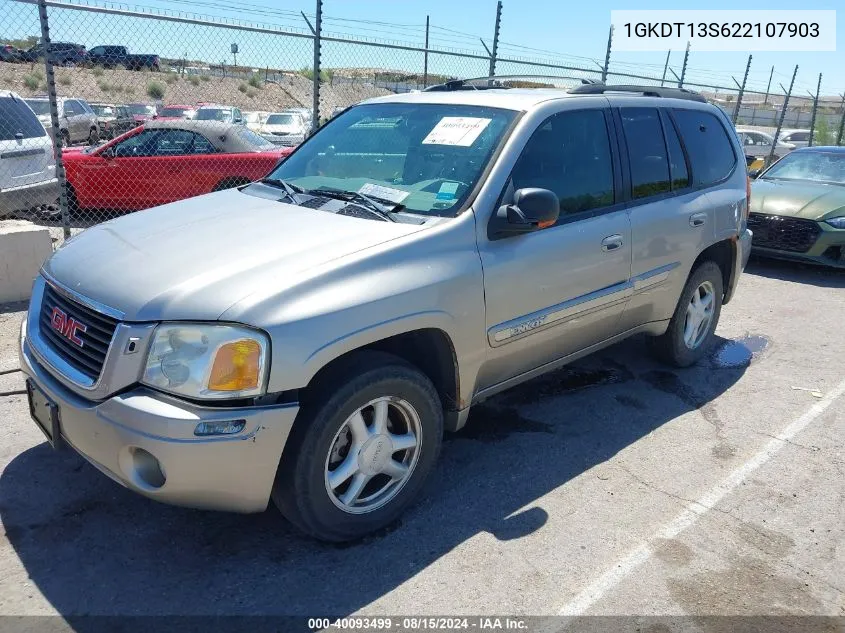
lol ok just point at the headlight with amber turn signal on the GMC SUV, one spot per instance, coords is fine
(207, 361)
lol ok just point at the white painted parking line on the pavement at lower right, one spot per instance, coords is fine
(612, 577)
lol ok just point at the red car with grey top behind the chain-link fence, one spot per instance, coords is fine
(165, 161)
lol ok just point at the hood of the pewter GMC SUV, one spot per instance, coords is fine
(192, 260)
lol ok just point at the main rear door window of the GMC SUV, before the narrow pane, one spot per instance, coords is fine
(646, 151)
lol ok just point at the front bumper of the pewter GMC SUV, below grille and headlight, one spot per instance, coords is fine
(231, 472)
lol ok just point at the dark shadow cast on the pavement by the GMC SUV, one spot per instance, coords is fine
(92, 547)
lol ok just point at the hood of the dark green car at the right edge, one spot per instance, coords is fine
(800, 199)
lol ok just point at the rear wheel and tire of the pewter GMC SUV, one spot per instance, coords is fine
(696, 316)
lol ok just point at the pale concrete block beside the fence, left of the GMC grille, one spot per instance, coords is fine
(23, 248)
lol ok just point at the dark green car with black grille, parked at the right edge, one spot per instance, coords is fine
(798, 207)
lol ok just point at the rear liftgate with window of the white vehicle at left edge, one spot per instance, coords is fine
(26, 155)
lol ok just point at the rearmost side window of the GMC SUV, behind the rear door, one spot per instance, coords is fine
(708, 146)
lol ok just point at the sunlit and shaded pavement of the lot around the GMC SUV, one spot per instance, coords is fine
(615, 487)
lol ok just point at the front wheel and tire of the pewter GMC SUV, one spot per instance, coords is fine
(366, 439)
